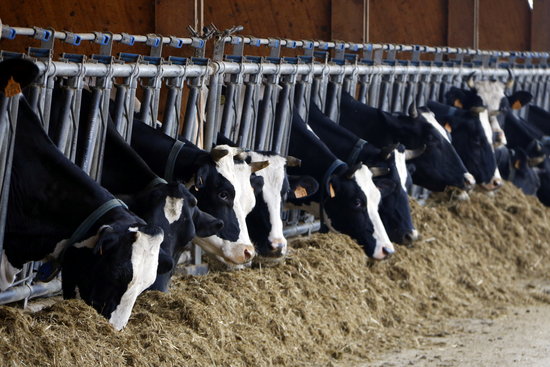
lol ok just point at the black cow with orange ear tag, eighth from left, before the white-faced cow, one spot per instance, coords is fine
(468, 138)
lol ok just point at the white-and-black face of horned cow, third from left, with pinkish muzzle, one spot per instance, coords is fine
(230, 199)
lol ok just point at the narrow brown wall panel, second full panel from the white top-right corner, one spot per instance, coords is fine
(461, 23)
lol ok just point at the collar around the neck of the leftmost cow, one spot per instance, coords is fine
(49, 269)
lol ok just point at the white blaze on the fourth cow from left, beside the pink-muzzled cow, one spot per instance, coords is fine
(273, 175)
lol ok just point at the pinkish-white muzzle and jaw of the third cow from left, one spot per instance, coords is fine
(233, 253)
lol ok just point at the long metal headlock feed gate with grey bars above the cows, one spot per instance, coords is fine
(249, 99)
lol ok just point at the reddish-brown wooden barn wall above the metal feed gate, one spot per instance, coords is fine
(503, 24)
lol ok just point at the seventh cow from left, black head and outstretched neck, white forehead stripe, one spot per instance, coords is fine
(436, 168)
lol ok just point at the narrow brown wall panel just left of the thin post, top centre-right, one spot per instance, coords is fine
(348, 20)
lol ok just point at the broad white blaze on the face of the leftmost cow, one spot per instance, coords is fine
(144, 259)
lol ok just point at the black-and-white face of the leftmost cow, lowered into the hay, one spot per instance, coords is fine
(114, 270)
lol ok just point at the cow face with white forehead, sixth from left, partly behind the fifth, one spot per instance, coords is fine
(394, 208)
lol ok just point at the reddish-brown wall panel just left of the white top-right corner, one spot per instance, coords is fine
(504, 25)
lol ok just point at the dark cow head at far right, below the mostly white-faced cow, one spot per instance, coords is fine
(514, 167)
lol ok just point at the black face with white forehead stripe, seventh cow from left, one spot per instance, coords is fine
(439, 165)
